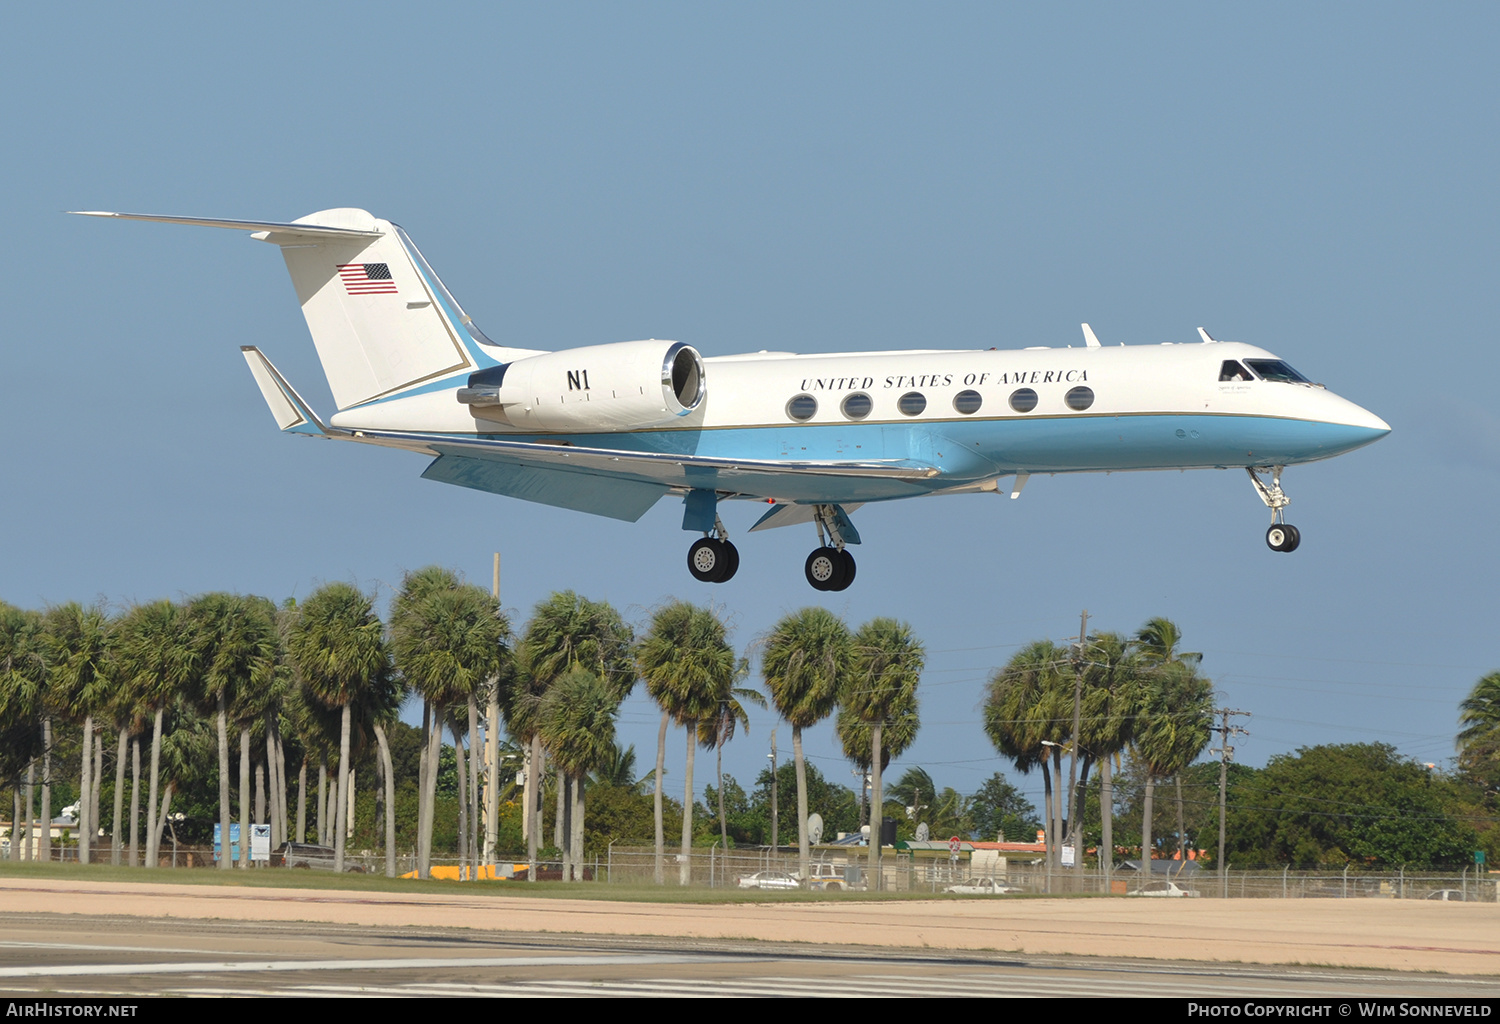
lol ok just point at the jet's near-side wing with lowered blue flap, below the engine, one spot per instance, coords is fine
(625, 485)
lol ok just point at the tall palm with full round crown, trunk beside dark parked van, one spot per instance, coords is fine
(340, 648)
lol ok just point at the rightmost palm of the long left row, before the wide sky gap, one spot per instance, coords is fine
(880, 687)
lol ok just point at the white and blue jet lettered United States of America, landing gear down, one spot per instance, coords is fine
(611, 430)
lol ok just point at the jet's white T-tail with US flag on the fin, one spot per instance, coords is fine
(380, 319)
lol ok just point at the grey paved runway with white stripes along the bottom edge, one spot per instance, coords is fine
(89, 956)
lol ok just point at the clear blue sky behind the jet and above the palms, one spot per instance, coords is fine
(1318, 181)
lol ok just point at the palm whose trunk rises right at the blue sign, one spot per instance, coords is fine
(236, 647)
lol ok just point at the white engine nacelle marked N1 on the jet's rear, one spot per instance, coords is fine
(629, 386)
